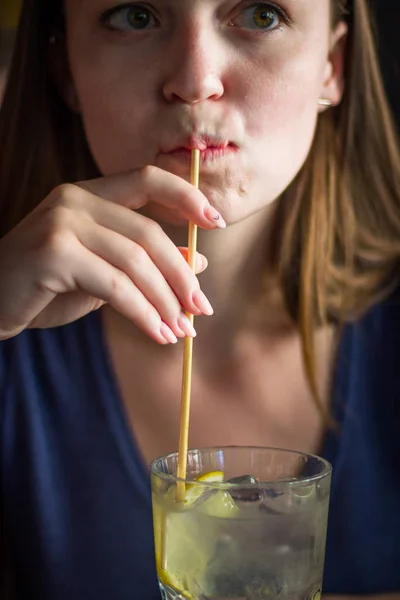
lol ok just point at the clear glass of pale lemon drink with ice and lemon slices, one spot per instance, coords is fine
(244, 537)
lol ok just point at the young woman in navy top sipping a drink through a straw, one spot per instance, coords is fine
(300, 222)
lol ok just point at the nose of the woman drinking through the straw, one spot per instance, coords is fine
(195, 70)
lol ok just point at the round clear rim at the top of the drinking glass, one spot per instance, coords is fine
(326, 470)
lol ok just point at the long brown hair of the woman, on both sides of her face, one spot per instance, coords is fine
(337, 242)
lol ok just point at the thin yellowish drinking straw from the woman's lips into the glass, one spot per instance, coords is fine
(187, 351)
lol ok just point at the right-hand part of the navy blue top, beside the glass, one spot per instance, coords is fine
(365, 452)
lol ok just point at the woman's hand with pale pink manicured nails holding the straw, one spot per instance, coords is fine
(85, 245)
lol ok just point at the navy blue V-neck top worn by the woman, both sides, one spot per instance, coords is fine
(76, 493)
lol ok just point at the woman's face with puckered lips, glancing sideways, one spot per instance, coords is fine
(240, 80)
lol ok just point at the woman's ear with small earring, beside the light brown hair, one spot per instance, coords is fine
(333, 84)
